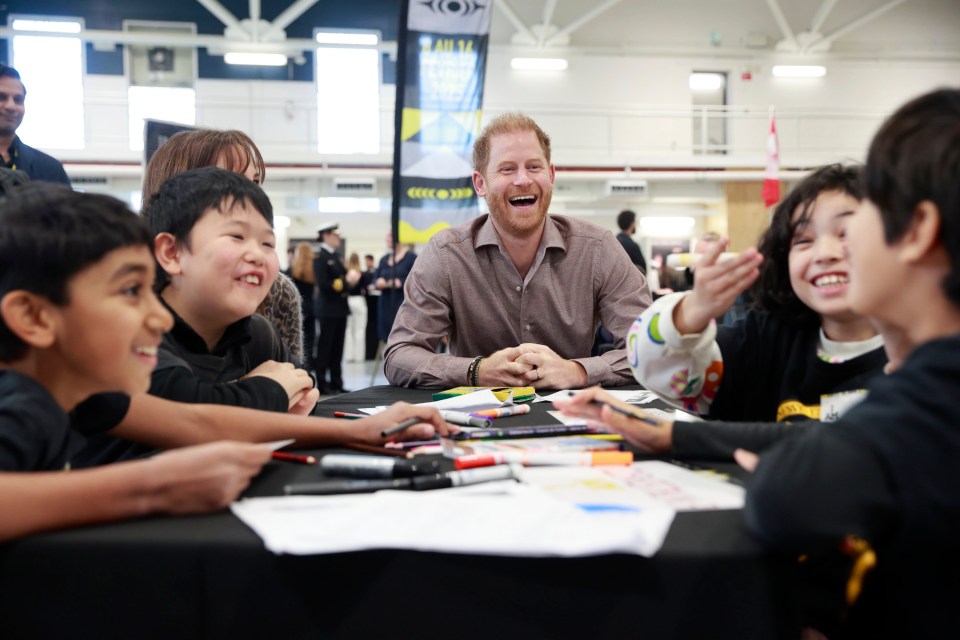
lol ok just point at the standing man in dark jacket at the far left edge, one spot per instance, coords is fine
(15, 154)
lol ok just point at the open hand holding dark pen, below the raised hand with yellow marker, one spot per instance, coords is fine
(601, 409)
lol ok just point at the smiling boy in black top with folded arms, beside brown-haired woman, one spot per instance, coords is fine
(215, 245)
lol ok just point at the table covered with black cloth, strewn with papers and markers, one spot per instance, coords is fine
(210, 577)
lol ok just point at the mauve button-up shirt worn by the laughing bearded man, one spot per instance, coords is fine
(464, 286)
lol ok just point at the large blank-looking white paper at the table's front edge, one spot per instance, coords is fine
(519, 521)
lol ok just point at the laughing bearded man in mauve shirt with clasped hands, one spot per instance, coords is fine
(518, 293)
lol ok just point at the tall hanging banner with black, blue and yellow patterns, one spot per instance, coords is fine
(441, 62)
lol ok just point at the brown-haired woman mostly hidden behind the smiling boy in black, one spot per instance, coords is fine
(235, 151)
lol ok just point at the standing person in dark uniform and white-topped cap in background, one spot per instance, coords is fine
(330, 273)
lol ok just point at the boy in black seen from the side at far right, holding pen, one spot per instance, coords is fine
(875, 491)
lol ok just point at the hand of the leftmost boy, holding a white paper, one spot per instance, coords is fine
(203, 477)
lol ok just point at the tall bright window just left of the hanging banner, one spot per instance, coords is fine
(348, 95)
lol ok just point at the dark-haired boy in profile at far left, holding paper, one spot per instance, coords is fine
(78, 317)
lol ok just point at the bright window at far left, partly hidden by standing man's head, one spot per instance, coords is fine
(51, 68)
